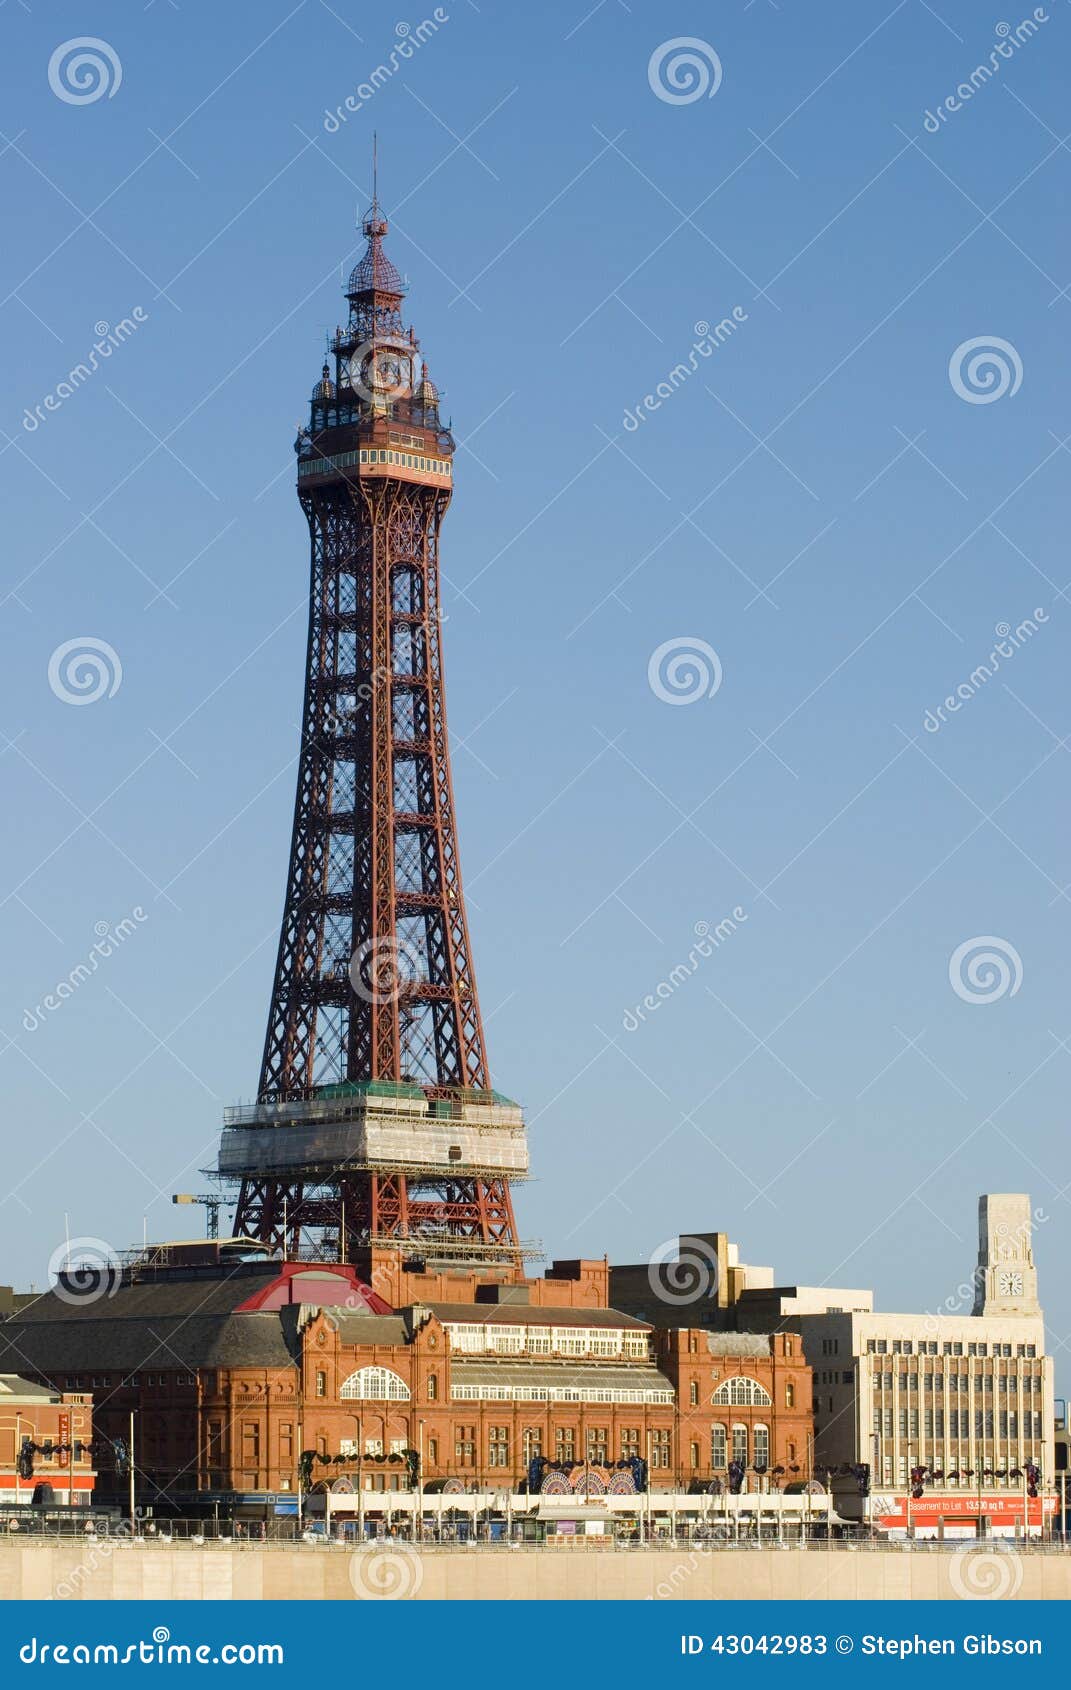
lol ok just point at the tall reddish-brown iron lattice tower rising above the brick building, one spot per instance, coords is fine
(376, 1126)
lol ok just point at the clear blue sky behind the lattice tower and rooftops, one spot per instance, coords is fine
(815, 503)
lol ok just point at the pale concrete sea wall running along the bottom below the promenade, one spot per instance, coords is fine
(393, 1573)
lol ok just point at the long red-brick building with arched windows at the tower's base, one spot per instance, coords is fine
(237, 1370)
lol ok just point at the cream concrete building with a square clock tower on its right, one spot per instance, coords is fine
(964, 1402)
